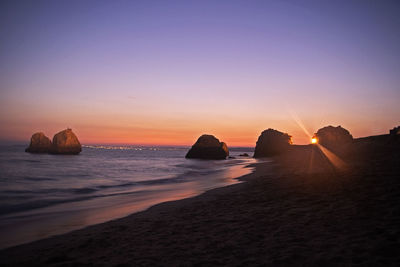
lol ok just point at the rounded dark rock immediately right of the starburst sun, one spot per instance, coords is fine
(334, 138)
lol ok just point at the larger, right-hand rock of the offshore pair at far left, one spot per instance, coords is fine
(66, 142)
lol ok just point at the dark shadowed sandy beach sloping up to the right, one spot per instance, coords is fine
(298, 210)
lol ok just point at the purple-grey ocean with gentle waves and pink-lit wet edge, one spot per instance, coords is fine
(43, 195)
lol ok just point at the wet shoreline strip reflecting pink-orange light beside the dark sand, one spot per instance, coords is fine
(117, 207)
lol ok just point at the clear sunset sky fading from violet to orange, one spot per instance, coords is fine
(165, 72)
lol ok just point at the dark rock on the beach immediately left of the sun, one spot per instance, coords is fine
(272, 142)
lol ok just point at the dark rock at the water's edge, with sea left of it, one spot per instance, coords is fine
(208, 147)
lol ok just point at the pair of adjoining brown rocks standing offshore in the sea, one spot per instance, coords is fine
(64, 142)
